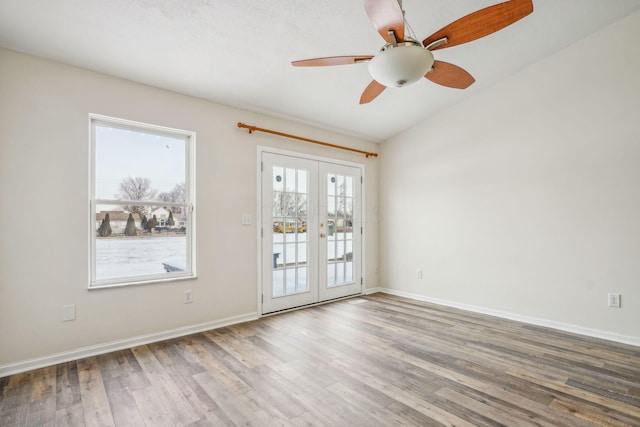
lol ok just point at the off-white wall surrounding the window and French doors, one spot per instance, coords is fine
(44, 167)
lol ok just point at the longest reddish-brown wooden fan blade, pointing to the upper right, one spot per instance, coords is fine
(481, 23)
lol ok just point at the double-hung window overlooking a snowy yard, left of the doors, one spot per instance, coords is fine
(142, 199)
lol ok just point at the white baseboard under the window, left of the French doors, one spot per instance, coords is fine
(95, 350)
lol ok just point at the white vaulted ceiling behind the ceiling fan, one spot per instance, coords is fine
(238, 52)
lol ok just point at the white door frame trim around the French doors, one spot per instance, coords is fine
(259, 220)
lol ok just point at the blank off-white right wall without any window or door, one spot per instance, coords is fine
(525, 199)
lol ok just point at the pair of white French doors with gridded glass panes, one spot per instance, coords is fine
(311, 231)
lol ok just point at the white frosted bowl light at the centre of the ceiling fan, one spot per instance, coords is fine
(401, 65)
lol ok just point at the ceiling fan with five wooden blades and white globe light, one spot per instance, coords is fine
(404, 60)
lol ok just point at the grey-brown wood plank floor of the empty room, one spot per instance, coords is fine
(371, 361)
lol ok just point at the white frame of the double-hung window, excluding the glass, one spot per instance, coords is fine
(189, 204)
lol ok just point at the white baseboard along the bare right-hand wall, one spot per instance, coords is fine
(566, 327)
